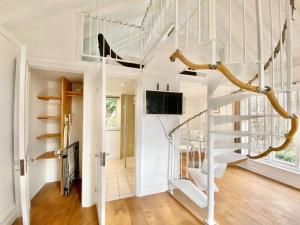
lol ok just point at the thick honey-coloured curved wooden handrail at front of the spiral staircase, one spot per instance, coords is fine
(246, 86)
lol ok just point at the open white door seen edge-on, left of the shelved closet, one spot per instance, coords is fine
(21, 113)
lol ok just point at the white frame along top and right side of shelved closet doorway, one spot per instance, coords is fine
(88, 70)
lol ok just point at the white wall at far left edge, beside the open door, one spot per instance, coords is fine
(8, 55)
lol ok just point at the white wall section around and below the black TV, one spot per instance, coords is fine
(153, 146)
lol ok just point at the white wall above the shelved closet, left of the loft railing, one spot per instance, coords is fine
(56, 38)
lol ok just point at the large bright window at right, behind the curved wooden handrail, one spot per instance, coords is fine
(269, 128)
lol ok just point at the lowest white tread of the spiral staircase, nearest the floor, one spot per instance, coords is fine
(192, 192)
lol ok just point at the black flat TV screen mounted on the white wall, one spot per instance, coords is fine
(160, 102)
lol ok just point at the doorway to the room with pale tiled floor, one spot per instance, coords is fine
(120, 138)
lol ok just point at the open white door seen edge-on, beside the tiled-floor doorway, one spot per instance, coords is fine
(101, 154)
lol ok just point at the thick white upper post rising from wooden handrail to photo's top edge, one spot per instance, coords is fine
(261, 76)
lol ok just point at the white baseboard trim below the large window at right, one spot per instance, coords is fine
(291, 178)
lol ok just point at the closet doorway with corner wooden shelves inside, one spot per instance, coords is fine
(55, 126)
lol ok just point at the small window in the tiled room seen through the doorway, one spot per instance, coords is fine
(112, 113)
